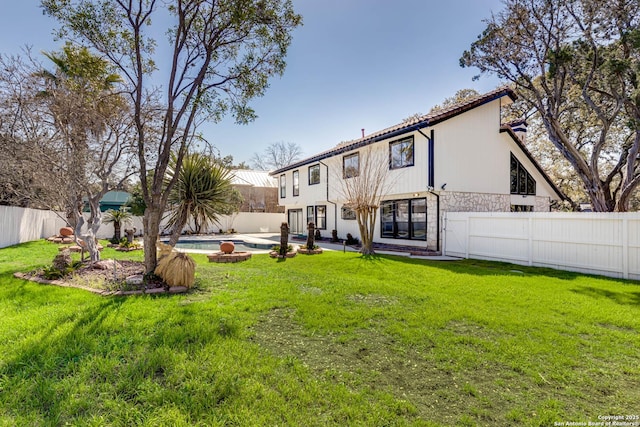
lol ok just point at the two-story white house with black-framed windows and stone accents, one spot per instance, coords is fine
(459, 159)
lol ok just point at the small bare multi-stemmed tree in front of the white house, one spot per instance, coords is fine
(363, 187)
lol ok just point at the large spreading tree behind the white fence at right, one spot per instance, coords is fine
(575, 63)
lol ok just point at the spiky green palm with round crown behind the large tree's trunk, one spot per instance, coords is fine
(202, 192)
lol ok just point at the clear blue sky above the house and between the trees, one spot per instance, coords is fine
(353, 64)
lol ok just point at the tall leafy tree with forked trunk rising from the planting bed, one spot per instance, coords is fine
(222, 54)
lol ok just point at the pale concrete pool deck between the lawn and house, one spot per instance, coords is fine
(274, 238)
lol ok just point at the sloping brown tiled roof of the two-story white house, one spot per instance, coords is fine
(406, 126)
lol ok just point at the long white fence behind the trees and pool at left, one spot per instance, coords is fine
(19, 225)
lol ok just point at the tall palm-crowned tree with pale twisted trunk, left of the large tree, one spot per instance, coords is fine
(93, 126)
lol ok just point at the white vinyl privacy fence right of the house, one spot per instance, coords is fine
(594, 243)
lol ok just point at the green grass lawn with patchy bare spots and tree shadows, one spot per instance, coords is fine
(331, 339)
